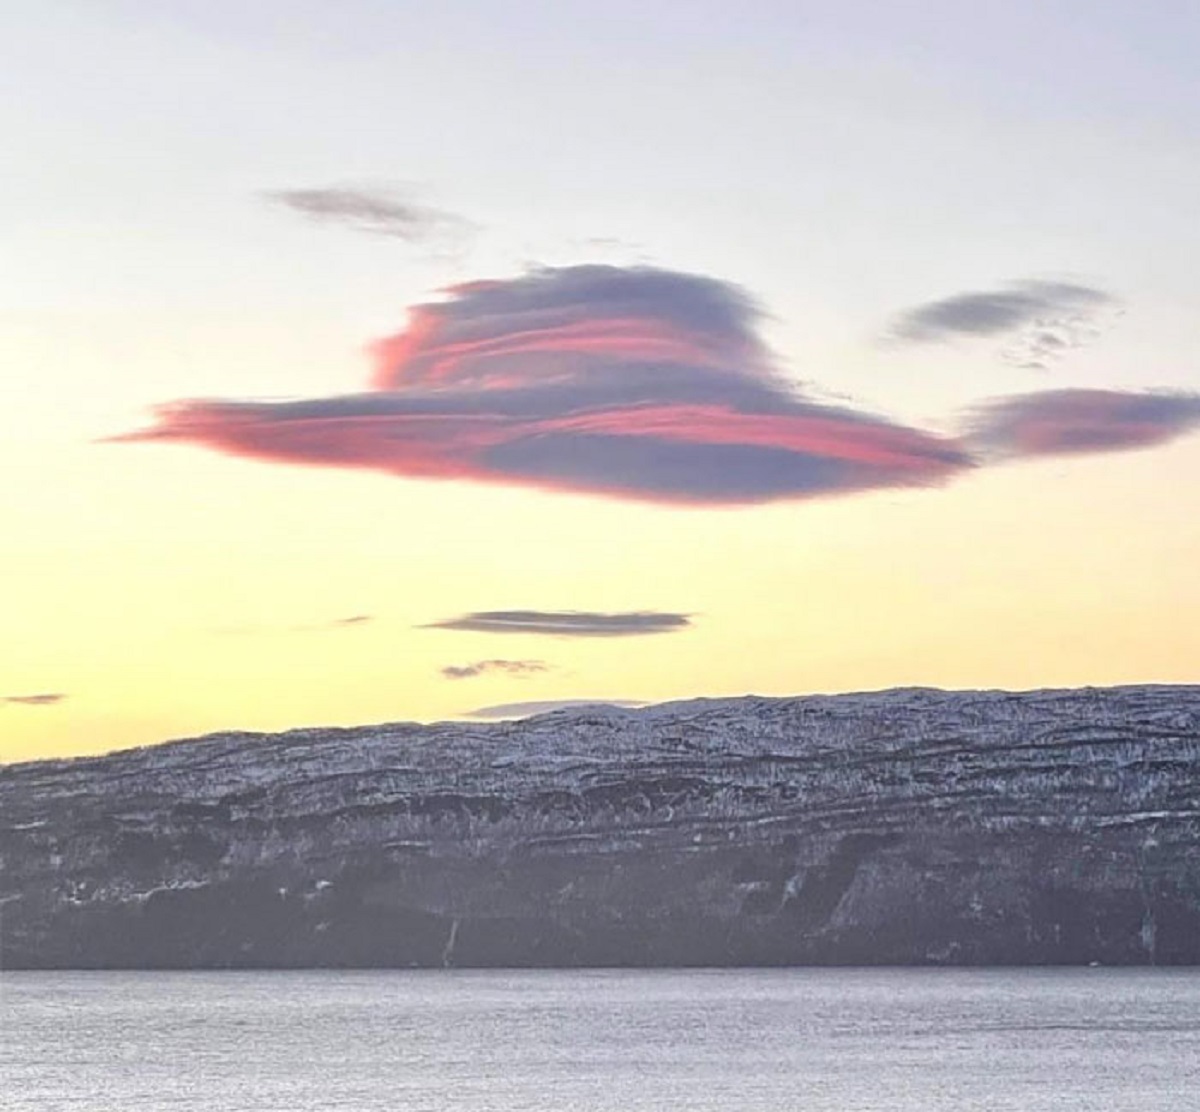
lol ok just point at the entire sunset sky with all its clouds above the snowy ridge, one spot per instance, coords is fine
(385, 362)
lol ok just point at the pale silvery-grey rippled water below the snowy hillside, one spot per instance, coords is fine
(843, 1041)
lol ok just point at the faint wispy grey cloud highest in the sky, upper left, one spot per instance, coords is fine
(377, 211)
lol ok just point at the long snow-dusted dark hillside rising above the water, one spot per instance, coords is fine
(908, 827)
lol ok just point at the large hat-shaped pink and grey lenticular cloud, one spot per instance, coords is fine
(633, 383)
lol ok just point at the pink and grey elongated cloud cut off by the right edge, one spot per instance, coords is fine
(1057, 423)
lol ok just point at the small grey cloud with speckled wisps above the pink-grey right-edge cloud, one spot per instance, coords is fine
(1040, 322)
